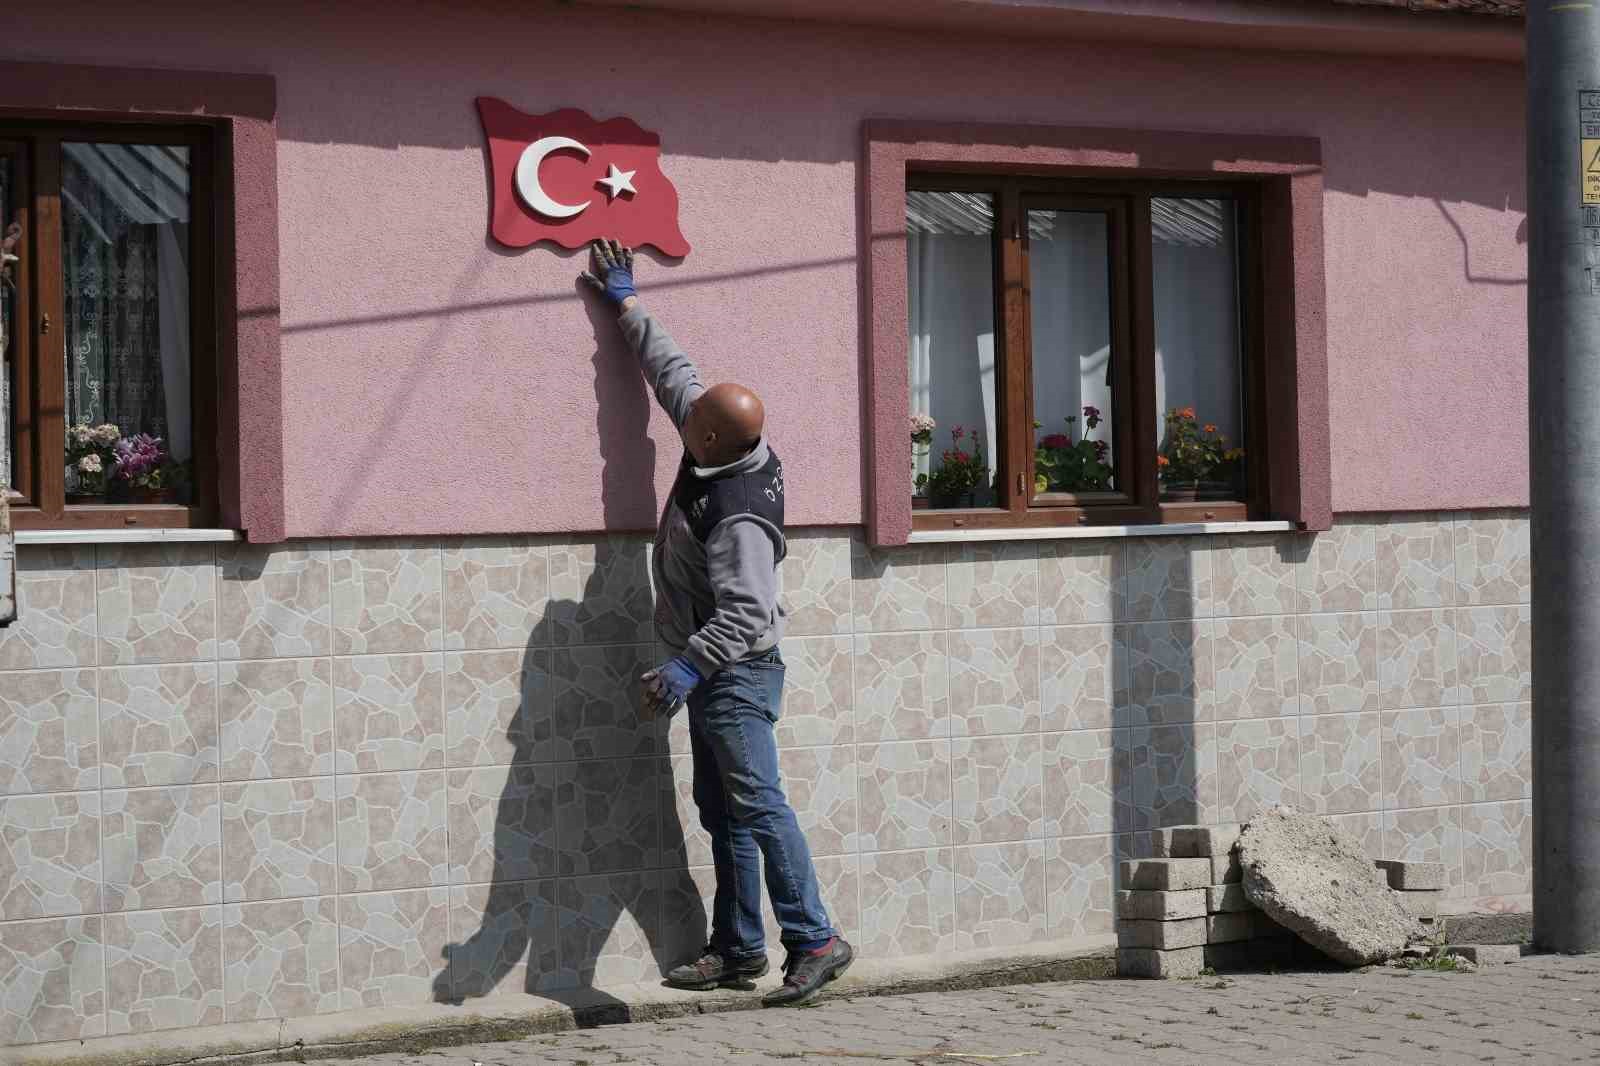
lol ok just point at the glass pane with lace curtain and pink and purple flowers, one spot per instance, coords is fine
(126, 257)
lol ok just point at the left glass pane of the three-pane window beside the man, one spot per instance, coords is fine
(950, 247)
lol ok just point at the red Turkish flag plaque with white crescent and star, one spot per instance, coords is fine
(569, 178)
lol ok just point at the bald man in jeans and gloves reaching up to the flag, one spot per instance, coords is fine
(716, 569)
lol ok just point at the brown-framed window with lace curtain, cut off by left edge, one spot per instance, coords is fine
(108, 412)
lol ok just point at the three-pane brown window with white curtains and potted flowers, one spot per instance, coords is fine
(1082, 351)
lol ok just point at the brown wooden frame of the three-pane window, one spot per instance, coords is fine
(1135, 420)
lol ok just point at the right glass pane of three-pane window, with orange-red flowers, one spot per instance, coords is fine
(1198, 348)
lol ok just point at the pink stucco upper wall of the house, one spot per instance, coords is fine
(434, 383)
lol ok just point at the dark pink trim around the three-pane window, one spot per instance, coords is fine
(1297, 356)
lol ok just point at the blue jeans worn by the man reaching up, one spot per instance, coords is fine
(743, 808)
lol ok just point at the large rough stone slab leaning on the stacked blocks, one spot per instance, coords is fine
(1314, 880)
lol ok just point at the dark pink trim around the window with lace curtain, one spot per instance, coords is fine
(244, 108)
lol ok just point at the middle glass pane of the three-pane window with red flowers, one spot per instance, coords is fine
(1070, 310)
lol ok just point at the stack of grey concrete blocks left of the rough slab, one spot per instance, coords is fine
(1185, 910)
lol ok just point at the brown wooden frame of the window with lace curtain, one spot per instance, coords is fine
(39, 401)
